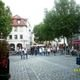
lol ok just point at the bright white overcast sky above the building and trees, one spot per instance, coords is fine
(33, 10)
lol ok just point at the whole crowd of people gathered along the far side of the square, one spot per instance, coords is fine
(44, 51)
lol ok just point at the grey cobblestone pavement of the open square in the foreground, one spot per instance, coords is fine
(44, 68)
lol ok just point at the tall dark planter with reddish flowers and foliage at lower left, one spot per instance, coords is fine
(4, 60)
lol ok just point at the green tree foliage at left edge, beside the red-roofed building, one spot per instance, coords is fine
(5, 20)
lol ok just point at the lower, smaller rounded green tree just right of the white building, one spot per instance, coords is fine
(43, 32)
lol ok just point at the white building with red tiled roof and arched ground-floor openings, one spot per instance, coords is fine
(20, 36)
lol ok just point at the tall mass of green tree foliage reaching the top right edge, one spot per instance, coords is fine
(63, 20)
